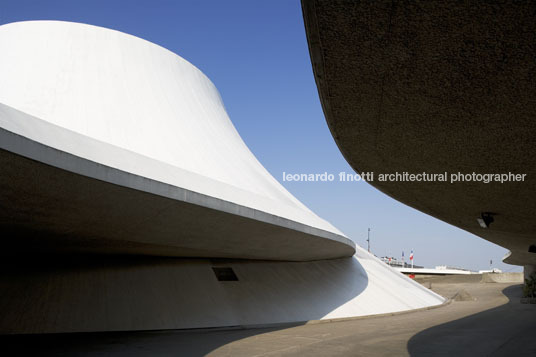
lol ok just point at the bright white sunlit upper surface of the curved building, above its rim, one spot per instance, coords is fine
(130, 93)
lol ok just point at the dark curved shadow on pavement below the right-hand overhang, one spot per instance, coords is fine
(507, 330)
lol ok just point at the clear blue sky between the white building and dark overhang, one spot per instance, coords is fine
(256, 54)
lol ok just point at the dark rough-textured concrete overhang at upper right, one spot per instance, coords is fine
(435, 86)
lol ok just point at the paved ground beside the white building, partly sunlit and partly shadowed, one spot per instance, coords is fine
(495, 323)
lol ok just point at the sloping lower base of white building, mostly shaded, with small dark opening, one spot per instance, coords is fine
(177, 293)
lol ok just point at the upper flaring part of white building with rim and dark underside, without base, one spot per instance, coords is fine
(107, 98)
